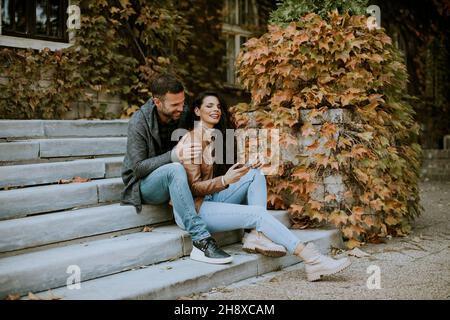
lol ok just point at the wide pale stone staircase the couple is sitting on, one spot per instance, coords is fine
(49, 229)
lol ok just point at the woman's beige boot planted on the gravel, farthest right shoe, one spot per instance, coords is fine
(318, 265)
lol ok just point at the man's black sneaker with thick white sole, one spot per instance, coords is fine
(206, 250)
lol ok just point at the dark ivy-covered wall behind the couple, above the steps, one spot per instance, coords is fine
(120, 46)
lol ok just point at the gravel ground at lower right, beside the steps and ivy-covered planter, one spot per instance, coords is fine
(412, 267)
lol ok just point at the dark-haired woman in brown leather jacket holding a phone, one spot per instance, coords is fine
(238, 198)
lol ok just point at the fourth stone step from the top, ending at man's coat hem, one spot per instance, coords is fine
(23, 202)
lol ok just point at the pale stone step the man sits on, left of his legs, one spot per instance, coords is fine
(18, 234)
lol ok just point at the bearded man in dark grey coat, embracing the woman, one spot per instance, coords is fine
(152, 172)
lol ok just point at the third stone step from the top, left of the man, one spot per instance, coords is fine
(45, 173)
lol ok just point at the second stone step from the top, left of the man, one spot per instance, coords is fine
(54, 148)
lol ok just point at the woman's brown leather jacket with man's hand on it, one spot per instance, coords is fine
(200, 173)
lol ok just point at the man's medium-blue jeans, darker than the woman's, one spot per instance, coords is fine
(170, 182)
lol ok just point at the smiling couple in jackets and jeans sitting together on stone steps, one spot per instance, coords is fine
(206, 197)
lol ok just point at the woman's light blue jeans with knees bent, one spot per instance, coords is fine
(243, 206)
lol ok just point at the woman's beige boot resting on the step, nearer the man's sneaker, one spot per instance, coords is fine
(257, 242)
